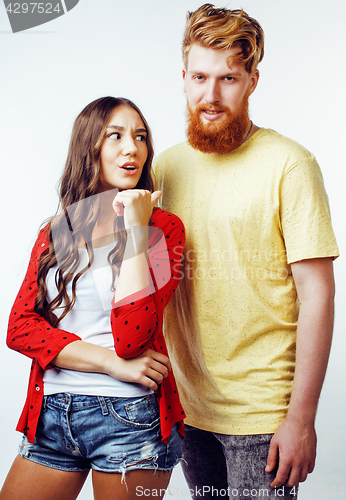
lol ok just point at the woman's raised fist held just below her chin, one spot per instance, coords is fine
(136, 205)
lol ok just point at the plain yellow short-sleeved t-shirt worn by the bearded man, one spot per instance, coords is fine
(231, 325)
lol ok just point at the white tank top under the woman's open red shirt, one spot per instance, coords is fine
(90, 320)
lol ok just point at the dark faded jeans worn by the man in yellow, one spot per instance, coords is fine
(222, 466)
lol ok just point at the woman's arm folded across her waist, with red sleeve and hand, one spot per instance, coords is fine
(31, 335)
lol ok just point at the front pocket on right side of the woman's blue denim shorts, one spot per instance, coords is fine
(136, 412)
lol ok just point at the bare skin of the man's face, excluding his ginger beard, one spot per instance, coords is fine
(212, 79)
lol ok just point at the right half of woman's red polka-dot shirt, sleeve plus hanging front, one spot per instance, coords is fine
(138, 324)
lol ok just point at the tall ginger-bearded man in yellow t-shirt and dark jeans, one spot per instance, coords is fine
(250, 326)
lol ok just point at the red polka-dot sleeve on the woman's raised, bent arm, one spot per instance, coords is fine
(137, 323)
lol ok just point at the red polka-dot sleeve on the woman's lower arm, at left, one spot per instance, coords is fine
(28, 332)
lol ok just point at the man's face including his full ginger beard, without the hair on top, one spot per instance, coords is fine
(218, 90)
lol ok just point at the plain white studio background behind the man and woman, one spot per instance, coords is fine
(132, 49)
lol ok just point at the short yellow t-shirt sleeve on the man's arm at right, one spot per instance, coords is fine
(304, 213)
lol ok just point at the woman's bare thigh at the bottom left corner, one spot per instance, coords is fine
(32, 481)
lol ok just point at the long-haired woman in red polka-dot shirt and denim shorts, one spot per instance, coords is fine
(101, 394)
